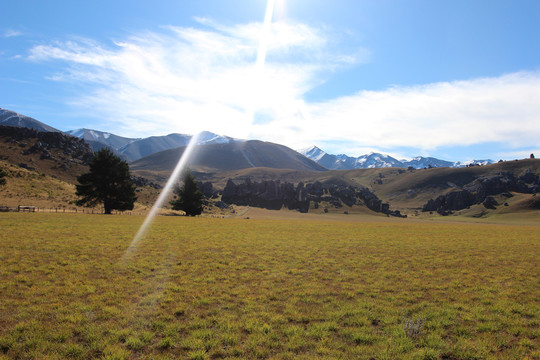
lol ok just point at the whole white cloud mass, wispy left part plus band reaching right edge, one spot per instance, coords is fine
(191, 79)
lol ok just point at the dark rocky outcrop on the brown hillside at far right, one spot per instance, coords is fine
(481, 191)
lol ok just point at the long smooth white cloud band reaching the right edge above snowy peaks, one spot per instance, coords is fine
(504, 109)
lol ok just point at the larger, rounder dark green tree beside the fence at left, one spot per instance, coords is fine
(107, 182)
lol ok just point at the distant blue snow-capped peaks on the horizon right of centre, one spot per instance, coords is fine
(376, 160)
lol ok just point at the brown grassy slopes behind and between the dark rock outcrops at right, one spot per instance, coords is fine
(405, 190)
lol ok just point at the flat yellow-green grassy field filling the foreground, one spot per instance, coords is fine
(198, 288)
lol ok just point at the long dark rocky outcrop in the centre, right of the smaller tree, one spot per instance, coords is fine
(274, 195)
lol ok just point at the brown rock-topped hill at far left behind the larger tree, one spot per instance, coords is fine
(42, 169)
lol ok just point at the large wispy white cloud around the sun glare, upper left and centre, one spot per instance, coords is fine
(190, 79)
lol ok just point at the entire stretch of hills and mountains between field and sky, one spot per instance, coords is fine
(53, 160)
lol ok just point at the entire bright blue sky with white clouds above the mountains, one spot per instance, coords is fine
(452, 79)
